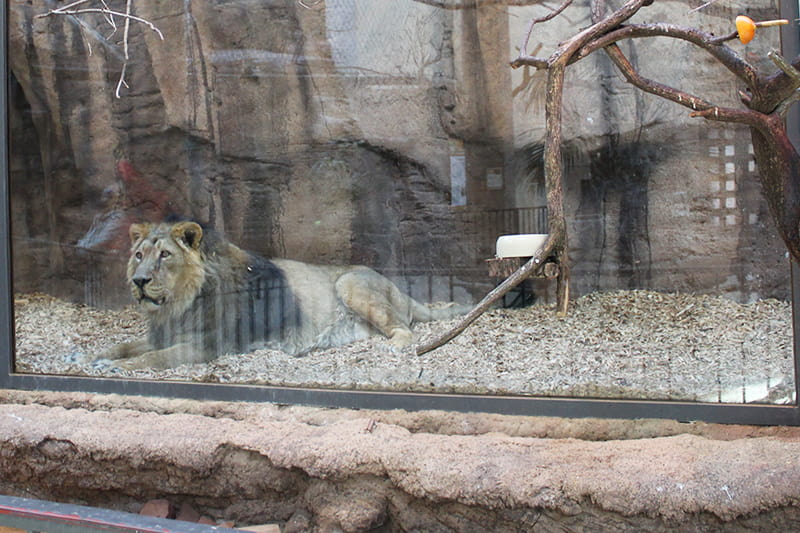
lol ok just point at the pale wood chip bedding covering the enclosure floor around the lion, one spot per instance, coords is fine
(629, 344)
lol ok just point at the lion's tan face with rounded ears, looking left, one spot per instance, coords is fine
(165, 269)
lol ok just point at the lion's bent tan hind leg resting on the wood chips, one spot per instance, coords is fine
(378, 301)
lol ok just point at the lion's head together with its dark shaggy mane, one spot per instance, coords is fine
(207, 292)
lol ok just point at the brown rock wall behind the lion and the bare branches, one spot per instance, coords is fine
(343, 133)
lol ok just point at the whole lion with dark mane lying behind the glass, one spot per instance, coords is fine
(204, 297)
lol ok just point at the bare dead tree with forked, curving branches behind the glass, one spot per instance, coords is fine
(766, 104)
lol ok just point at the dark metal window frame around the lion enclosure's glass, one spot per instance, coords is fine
(512, 405)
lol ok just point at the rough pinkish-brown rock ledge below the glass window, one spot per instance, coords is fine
(316, 469)
